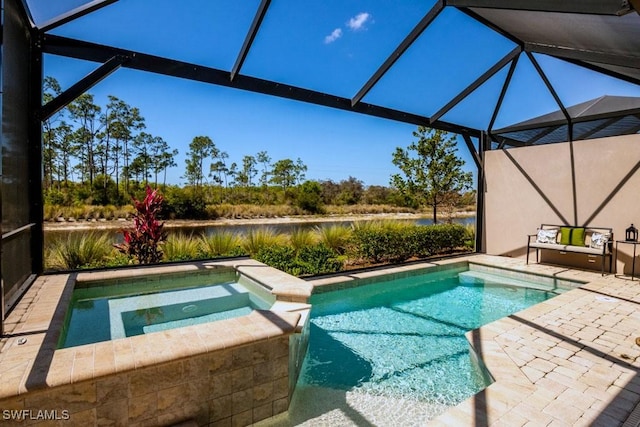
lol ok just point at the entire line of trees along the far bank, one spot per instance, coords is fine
(103, 155)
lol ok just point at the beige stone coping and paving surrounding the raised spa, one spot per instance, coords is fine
(30, 361)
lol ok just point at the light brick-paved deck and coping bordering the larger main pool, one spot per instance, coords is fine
(569, 361)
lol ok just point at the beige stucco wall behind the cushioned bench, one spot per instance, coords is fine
(528, 186)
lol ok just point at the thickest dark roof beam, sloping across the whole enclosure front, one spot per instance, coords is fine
(88, 51)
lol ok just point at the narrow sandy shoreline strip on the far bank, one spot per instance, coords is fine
(117, 224)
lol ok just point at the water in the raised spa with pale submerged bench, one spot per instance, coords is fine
(106, 310)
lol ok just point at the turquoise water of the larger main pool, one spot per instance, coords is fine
(396, 349)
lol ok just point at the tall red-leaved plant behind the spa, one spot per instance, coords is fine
(145, 238)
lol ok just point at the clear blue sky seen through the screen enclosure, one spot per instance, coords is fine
(326, 45)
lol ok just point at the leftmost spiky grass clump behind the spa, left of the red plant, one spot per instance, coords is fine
(81, 250)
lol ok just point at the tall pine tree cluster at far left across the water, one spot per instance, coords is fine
(105, 150)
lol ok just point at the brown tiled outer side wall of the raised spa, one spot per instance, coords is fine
(238, 386)
